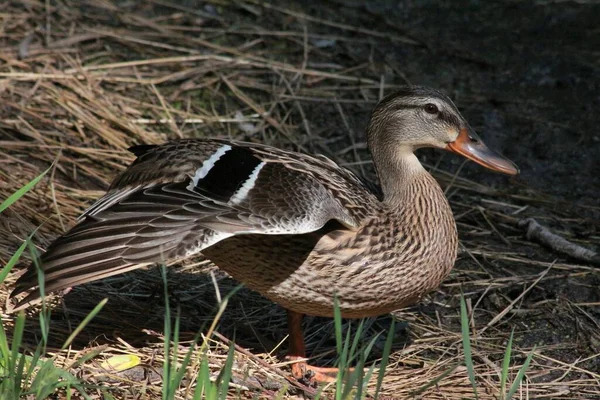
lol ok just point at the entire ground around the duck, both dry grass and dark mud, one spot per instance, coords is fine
(80, 82)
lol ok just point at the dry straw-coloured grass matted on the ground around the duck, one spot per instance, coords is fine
(80, 84)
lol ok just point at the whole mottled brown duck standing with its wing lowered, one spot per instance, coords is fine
(296, 228)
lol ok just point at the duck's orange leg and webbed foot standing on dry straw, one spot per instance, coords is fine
(297, 351)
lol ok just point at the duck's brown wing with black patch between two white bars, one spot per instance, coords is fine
(178, 198)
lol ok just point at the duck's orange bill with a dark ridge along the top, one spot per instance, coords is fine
(469, 145)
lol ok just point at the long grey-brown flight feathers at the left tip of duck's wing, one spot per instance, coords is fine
(96, 249)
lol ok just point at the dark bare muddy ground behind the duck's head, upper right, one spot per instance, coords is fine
(525, 74)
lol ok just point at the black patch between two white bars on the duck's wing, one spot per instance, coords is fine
(229, 172)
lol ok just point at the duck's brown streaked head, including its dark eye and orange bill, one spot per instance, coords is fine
(416, 117)
